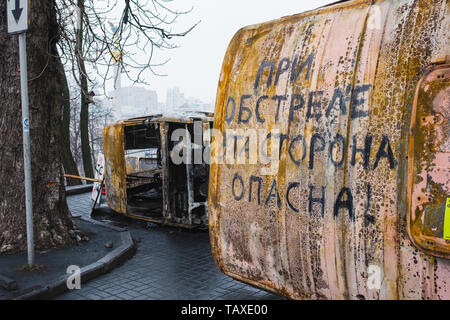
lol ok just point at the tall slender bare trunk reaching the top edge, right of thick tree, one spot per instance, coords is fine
(84, 113)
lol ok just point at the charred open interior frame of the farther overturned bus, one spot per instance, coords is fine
(158, 189)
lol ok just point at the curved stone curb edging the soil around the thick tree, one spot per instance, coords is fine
(102, 266)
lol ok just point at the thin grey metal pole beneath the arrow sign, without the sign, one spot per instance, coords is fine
(26, 145)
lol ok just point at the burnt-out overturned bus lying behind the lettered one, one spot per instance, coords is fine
(149, 169)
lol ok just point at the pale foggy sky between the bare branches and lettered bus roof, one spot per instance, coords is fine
(195, 66)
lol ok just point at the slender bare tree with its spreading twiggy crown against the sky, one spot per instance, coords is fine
(95, 43)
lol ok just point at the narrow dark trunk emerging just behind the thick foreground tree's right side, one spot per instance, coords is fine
(69, 164)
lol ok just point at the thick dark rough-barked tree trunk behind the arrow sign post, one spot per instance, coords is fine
(53, 224)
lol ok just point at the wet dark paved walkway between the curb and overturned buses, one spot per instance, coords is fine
(170, 263)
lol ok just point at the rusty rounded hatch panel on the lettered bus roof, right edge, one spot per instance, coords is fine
(429, 174)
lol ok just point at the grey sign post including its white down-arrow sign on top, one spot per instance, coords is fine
(17, 16)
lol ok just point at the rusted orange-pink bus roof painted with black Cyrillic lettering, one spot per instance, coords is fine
(335, 89)
